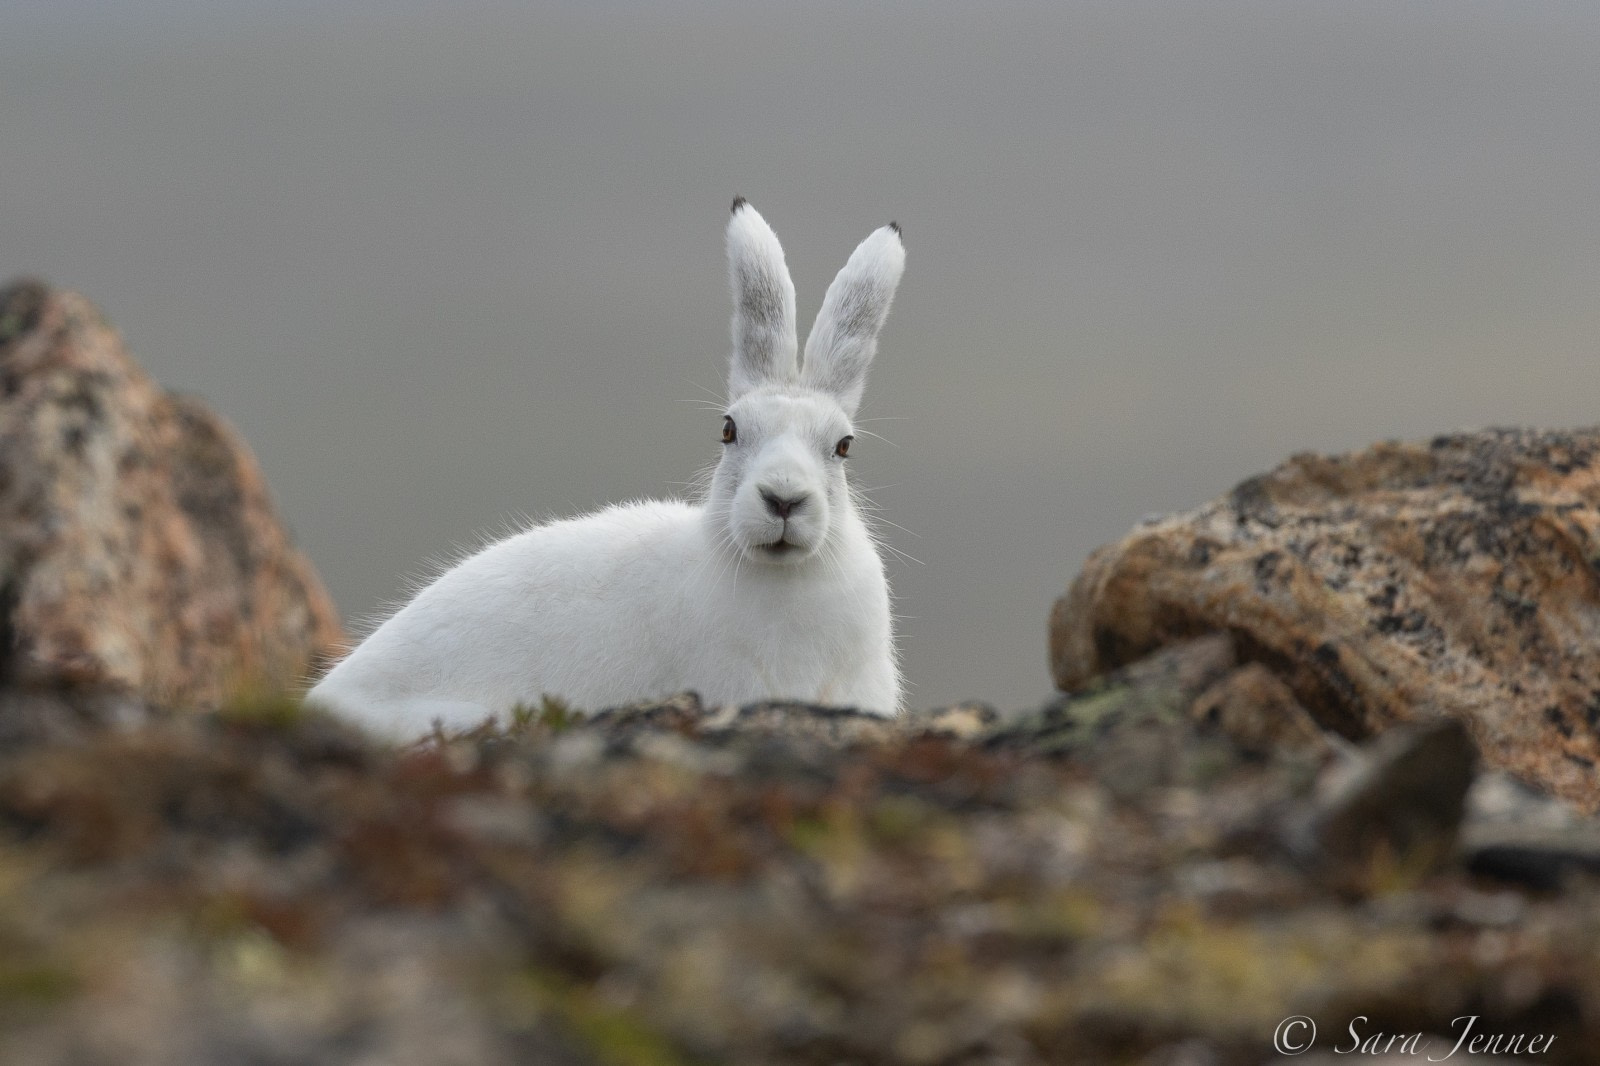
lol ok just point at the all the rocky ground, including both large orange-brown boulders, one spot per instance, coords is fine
(1326, 758)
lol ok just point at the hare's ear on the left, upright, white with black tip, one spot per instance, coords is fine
(764, 305)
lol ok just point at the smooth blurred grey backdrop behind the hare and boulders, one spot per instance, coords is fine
(446, 265)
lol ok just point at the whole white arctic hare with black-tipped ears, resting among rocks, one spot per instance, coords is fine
(772, 588)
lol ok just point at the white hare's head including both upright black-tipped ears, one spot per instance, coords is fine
(786, 433)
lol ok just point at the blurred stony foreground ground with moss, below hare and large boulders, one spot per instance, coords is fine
(1110, 880)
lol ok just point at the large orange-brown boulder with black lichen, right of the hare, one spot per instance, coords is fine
(1454, 579)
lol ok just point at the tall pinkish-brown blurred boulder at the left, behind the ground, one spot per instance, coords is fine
(140, 553)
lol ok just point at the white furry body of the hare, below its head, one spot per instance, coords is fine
(458, 657)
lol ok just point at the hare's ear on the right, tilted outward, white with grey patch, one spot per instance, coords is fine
(846, 335)
